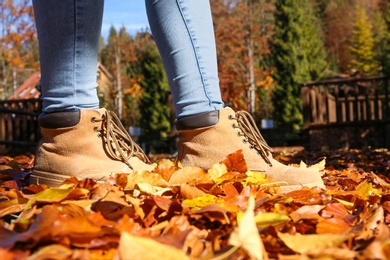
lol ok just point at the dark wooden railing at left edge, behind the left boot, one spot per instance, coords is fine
(18, 123)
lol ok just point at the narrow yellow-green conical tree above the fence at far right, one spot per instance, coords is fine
(364, 59)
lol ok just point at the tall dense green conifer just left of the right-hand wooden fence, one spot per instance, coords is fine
(298, 55)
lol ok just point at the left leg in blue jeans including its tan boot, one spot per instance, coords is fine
(79, 139)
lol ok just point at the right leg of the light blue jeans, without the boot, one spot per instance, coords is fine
(184, 33)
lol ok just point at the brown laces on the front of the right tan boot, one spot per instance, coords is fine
(252, 134)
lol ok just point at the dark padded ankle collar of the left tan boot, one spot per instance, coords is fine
(59, 119)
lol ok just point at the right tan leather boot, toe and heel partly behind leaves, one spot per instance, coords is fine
(225, 131)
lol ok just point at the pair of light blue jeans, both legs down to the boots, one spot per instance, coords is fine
(69, 33)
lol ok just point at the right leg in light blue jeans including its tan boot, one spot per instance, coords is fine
(183, 31)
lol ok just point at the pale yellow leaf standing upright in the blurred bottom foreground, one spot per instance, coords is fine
(246, 234)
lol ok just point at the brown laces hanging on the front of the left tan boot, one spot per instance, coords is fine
(118, 143)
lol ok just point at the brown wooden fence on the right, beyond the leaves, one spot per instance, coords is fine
(360, 105)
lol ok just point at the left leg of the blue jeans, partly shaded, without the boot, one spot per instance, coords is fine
(69, 33)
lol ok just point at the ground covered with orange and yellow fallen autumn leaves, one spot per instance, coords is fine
(226, 212)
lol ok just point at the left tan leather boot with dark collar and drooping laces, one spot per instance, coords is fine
(84, 144)
